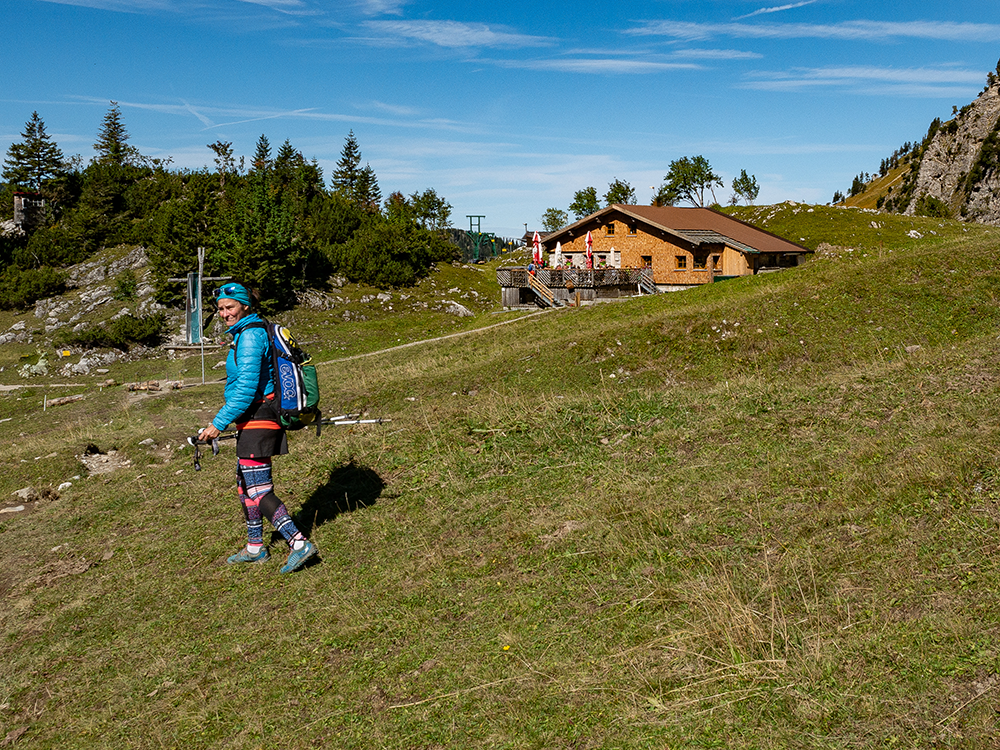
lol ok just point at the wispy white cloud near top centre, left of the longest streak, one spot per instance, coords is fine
(450, 34)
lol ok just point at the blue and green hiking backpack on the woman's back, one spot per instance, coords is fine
(296, 386)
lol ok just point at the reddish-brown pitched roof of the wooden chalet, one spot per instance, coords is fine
(696, 225)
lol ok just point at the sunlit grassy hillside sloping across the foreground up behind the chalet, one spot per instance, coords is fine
(762, 513)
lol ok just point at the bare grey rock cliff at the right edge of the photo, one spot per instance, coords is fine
(960, 165)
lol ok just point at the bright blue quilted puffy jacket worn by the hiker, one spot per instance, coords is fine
(248, 370)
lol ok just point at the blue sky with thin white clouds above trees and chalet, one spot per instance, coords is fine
(507, 108)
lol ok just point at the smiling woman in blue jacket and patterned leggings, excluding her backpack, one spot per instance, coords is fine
(259, 436)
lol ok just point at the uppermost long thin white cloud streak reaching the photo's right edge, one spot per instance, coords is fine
(846, 31)
